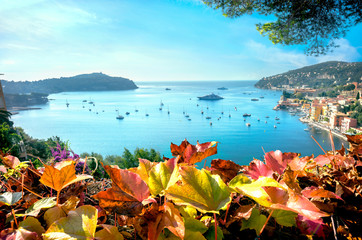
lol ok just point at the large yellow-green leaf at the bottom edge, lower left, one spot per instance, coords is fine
(80, 224)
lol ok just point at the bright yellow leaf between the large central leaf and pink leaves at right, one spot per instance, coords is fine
(255, 189)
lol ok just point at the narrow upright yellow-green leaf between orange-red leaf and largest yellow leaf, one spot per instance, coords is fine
(160, 176)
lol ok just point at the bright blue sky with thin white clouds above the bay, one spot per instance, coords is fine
(145, 40)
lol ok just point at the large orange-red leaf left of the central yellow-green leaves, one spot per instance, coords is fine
(127, 192)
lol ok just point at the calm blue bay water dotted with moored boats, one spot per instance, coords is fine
(174, 114)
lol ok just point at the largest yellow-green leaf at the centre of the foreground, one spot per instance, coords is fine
(200, 189)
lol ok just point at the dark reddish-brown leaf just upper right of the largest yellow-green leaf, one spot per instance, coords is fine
(226, 169)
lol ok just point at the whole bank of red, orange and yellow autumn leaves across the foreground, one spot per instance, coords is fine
(283, 196)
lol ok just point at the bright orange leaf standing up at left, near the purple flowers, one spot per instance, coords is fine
(59, 178)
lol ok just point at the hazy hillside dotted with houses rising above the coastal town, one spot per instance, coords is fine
(320, 75)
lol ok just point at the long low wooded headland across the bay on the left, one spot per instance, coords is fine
(84, 82)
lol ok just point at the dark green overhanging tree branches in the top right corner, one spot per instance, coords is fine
(313, 23)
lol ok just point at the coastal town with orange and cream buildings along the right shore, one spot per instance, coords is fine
(338, 110)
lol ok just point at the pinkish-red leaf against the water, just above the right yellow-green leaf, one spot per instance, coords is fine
(278, 161)
